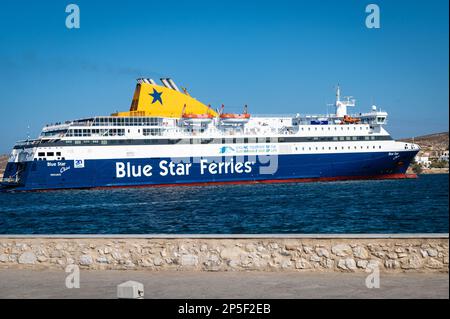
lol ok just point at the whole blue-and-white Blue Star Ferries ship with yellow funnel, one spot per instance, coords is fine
(170, 138)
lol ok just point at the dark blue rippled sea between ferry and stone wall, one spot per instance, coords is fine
(389, 206)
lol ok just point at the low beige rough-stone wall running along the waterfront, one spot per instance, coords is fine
(229, 254)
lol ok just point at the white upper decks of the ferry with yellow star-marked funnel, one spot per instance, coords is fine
(199, 120)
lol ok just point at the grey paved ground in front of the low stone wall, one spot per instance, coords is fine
(102, 284)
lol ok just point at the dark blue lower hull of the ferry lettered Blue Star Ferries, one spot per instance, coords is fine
(43, 175)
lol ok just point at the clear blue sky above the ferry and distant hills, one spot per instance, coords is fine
(276, 56)
